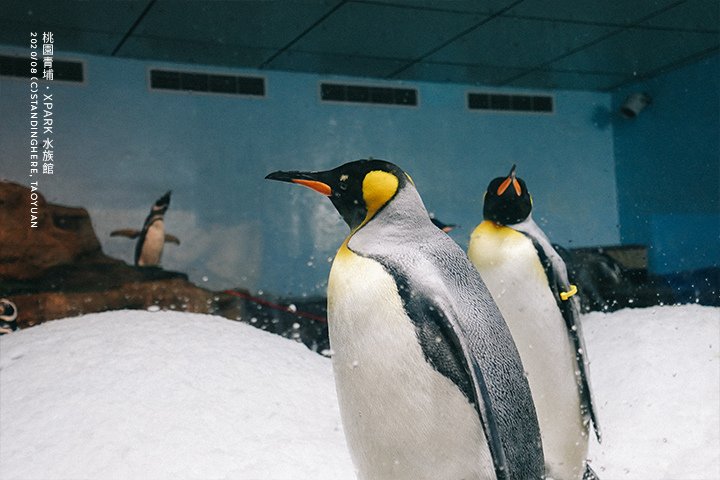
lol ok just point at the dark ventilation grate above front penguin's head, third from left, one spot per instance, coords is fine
(353, 93)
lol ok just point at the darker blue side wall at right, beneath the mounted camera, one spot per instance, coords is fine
(668, 168)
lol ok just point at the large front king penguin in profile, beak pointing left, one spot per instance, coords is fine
(429, 382)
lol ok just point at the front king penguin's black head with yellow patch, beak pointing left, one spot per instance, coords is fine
(357, 189)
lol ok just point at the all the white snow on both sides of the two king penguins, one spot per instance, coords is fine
(168, 395)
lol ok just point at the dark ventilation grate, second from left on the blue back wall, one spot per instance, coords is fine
(185, 81)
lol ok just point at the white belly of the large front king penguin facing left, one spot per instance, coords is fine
(402, 418)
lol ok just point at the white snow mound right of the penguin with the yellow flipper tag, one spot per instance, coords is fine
(655, 373)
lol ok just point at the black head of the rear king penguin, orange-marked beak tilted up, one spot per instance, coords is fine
(507, 200)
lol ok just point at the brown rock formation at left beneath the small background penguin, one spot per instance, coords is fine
(57, 269)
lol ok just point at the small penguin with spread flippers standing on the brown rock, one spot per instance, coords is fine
(152, 237)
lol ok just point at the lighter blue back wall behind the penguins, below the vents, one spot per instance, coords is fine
(119, 147)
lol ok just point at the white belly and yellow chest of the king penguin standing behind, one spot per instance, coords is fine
(509, 265)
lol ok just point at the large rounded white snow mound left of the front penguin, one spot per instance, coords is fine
(165, 395)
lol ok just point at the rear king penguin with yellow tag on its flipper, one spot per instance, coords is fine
(529, 281)
